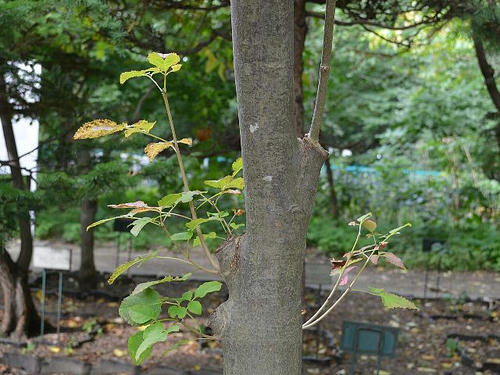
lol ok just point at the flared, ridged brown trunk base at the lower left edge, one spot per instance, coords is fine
(20, 316)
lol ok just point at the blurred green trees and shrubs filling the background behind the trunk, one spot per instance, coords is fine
(410, 125)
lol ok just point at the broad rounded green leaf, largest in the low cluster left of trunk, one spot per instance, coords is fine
(142, 307)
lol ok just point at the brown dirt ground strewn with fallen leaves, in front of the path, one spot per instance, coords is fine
(473, 328)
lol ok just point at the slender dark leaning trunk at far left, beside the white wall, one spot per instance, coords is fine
(17, 179)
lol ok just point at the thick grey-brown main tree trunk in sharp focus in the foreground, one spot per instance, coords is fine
(260, 324)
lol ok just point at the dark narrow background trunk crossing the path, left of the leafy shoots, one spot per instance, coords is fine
(88, 275)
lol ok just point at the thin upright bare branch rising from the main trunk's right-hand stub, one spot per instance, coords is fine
(324, 70)
